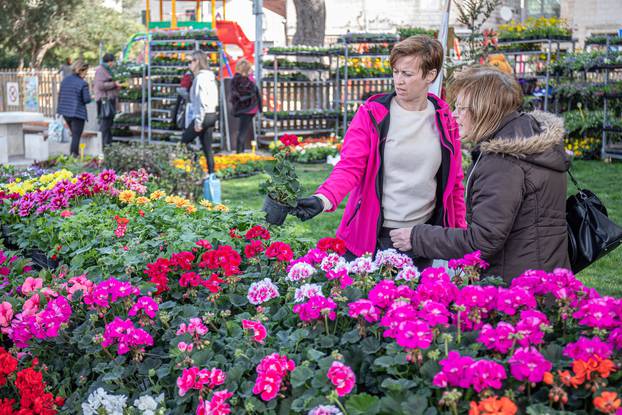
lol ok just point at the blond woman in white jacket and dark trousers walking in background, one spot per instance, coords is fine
(203, 102)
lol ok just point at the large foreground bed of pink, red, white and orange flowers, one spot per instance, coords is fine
(161, 305)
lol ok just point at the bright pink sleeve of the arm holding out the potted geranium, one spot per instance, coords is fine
(350, 169)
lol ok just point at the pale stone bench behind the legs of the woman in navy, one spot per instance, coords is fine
(38, 147)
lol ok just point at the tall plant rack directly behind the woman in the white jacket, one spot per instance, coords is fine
(161, 96)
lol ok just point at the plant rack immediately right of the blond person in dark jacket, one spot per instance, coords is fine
(297, 120)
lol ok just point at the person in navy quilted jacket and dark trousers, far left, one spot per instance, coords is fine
(72, 99)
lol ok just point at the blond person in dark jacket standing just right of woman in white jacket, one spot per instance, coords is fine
(246, 100)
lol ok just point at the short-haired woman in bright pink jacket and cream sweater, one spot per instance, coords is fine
(401, 161)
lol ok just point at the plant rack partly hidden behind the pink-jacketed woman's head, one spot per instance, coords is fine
(342, 100)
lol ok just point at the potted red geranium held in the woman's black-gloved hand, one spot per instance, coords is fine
(282, 186)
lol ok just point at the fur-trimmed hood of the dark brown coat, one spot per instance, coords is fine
(536, 137)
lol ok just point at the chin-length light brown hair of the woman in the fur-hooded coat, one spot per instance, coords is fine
(488, 95)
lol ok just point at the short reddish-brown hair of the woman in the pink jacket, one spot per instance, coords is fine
(427, 49)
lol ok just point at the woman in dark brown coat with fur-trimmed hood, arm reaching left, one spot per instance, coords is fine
(515, 189)
